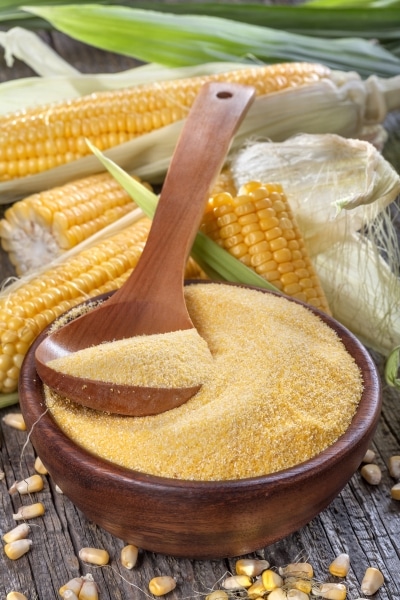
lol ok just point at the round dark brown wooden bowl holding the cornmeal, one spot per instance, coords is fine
(202, 520)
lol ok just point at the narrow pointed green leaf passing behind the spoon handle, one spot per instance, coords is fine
(216, 262)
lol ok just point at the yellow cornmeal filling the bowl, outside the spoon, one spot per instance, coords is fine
(283, 389)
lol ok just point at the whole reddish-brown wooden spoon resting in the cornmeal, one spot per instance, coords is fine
(152, 300)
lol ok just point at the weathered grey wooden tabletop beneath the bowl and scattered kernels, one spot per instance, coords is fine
(363, 521)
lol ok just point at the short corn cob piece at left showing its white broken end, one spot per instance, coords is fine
(40, 227)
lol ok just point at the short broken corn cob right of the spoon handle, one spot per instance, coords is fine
(257, 227)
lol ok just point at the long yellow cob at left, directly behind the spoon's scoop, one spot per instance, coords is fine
(25, 312)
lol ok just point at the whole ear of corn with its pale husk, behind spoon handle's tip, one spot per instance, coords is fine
(317, 101)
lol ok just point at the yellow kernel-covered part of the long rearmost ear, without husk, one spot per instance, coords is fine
(41, 138)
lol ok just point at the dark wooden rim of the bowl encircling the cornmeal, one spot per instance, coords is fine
(363, 423)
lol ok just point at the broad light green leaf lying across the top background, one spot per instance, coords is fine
(178, 40)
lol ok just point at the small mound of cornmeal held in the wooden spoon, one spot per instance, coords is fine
(174, 359)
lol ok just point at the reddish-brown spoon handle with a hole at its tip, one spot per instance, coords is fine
(199, 155)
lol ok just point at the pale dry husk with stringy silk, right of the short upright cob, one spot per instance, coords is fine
(340, 191)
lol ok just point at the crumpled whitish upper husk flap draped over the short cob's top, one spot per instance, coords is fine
(335, 185)
